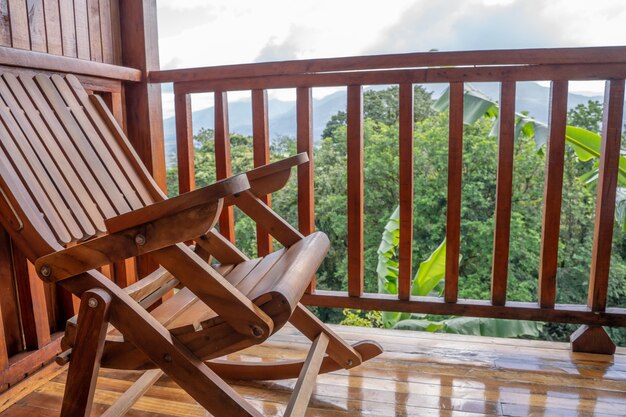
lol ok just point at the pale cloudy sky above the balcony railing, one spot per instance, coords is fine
(195, 33)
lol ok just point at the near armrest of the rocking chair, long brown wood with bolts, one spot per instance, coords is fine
(143, 231)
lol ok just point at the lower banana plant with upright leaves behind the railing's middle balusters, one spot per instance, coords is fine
(427, 281)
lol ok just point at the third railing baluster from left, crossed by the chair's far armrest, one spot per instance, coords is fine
(261, 156)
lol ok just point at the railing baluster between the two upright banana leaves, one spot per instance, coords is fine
(405, 250)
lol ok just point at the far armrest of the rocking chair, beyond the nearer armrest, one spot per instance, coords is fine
(272, 177)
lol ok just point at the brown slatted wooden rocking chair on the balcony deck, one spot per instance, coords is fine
(75, 197)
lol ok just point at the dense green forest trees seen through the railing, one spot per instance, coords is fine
(430, 187)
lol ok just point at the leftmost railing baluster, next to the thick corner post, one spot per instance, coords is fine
(184, 143)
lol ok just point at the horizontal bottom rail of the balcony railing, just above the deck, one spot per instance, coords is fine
(561, 313)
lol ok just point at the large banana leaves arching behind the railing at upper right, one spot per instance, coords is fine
(586, 144)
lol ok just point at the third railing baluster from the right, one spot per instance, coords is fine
(504, 184)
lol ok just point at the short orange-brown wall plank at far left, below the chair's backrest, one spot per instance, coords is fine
(32, 303)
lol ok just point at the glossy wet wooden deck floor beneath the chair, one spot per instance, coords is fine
(420, 374)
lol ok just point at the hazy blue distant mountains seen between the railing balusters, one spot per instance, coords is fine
(531, 97)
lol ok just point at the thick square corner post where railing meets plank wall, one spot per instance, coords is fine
(144, 123)
